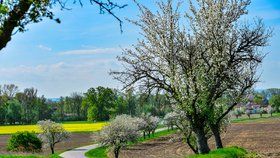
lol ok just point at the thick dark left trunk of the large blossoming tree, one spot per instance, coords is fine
(201, 141)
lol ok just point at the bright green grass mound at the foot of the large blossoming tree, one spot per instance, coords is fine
(230, 152)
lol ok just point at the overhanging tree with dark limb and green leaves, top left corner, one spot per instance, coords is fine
(16, 14)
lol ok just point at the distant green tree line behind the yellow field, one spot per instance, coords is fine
(97, 104)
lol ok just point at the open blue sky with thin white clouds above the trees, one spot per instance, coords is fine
(77, 54)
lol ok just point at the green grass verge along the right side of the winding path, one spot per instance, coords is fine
(101, 152)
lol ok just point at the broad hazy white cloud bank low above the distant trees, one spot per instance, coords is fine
(62, 78)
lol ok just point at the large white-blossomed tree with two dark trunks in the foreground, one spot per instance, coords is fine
(211, 56)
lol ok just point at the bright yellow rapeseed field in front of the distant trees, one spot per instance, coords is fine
(73, 127)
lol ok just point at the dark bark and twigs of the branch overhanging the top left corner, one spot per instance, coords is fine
(21, 10)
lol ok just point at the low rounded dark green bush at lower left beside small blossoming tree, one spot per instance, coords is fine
(24, 142)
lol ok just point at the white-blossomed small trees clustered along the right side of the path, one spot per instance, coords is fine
(124, 129)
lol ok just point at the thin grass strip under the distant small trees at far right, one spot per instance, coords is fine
(256, 118)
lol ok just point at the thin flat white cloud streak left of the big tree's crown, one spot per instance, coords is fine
(91, 51)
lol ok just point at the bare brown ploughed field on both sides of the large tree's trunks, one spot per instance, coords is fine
(262, 138)
